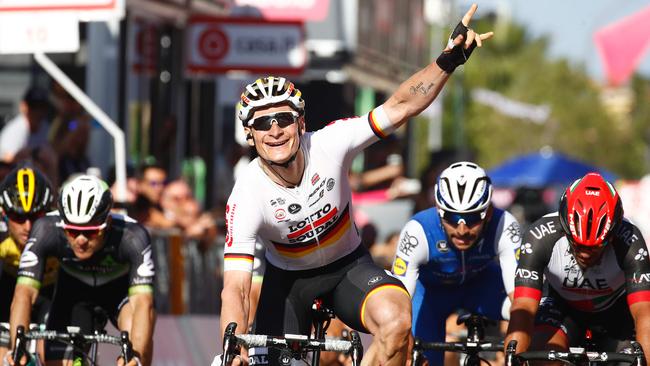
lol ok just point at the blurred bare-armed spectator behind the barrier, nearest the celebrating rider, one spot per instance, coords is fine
(180, 207)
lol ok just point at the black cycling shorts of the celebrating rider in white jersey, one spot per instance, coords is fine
(287, 296)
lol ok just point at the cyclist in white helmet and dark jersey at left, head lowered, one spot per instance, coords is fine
(105, 260)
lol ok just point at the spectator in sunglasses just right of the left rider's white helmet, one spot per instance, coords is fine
(146, 209)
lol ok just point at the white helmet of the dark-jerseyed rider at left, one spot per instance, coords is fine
(85, 201)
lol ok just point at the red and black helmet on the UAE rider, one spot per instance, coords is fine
(590, 210)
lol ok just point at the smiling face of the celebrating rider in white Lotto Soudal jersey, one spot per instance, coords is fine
(278, 143)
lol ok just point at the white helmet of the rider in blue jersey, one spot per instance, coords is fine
(463, 187)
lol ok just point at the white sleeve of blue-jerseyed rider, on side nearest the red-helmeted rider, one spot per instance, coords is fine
(508, 242)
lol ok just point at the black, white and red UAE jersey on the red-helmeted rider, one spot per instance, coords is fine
(623, 270)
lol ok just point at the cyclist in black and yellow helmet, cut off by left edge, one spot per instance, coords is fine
(25, 196)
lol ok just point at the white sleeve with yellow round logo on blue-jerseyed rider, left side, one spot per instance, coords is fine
(412, 252)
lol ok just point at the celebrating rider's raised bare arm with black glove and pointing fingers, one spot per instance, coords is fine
(419, 91)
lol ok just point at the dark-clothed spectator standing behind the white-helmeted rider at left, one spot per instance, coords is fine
(70, 134)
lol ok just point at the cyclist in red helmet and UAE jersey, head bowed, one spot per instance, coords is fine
(595, 269)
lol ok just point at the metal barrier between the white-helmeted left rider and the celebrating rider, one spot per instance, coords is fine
(189, 276)
